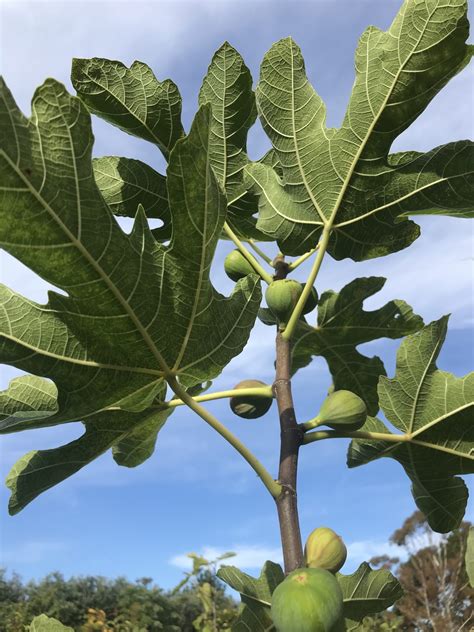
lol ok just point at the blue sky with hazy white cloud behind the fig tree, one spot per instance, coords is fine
(195, 493)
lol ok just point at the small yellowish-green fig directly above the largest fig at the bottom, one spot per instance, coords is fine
(325, 549)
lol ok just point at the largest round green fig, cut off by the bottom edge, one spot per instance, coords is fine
(308, 600)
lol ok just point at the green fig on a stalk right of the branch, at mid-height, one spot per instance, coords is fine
(343, 410)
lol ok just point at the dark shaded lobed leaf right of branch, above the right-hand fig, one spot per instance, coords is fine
(342, 325)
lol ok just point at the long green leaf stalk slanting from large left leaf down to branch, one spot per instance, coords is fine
(273, 487)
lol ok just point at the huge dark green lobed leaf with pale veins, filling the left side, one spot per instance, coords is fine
(109, 343)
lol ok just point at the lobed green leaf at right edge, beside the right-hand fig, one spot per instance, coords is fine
(434, 410)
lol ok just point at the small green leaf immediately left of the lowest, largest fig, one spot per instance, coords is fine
(256, 595)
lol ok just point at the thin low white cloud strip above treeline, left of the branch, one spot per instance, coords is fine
(247, 556)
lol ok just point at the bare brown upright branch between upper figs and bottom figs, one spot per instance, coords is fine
(291, 440)
